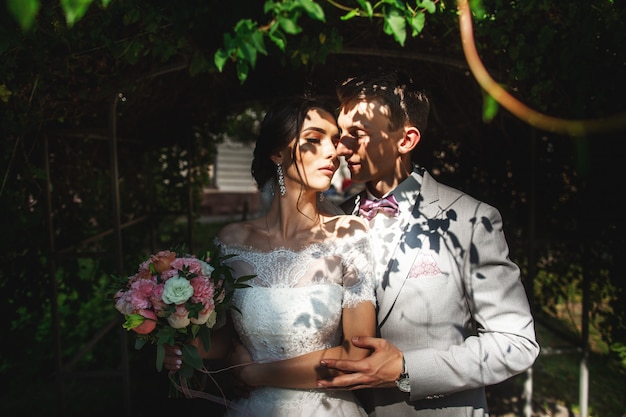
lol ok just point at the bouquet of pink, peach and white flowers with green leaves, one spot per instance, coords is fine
(173, 299)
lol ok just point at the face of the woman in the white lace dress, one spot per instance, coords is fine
(316, 157)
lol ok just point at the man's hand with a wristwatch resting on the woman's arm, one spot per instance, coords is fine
(379, 370)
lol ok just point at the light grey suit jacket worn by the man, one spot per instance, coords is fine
(453, 302)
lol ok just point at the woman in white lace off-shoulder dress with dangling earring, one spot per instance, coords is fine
(313, 287)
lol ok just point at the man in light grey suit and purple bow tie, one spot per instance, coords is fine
(453, 314)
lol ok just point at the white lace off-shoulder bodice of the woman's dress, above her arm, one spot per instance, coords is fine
(295, 301)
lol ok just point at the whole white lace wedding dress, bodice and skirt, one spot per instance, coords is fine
(294, 307)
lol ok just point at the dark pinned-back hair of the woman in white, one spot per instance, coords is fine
(282, 123)
